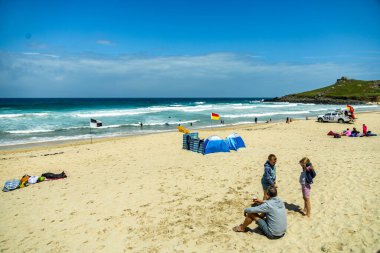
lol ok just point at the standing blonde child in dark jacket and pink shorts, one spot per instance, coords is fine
(306, 179)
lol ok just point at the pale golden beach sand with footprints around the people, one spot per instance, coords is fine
(146, 194)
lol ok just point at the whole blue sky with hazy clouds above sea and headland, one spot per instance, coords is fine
(184, 48)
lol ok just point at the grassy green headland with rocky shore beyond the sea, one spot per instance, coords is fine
(344, 91)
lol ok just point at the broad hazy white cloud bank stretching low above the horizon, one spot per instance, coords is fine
(221, 74)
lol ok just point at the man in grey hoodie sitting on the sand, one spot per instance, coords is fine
(272, 220)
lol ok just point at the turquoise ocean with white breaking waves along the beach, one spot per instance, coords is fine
(25, 121)
